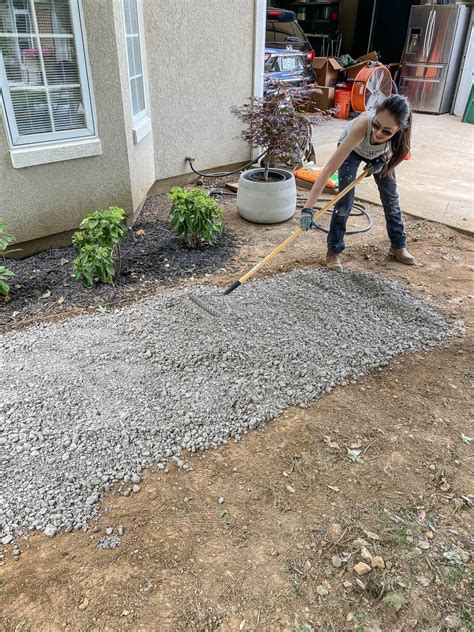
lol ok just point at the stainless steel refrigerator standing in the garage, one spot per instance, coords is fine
(432, 55)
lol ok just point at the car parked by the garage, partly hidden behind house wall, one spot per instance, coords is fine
(288, 53)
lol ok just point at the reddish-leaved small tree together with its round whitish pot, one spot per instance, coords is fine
(280, 124)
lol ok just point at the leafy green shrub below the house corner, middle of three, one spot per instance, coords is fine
(97, 246)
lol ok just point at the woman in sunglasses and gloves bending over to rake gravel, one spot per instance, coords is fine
(380, 138)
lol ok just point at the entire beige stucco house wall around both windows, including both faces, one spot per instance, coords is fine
(199, 57)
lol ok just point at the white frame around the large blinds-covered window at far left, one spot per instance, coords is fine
(21, 140)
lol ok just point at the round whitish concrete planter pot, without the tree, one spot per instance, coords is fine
(266, 202)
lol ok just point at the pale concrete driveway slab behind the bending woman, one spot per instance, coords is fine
(437, 183)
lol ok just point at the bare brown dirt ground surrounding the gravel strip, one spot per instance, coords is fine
(264, 534)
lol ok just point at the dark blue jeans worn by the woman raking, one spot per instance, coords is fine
(387, 186)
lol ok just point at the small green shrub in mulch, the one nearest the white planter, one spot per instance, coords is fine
(196, 216)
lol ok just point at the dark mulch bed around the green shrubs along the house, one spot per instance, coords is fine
(152, 255)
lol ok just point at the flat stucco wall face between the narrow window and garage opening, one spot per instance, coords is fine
(200, 62)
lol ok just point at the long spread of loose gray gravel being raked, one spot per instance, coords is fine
(96, 399)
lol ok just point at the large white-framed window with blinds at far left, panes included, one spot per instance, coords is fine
(44, 77)
